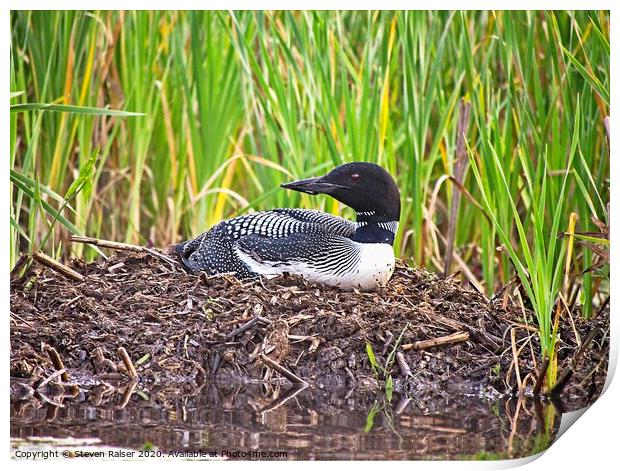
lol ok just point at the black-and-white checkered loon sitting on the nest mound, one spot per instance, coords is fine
(316, 245)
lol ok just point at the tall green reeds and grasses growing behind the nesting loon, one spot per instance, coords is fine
(235, 103)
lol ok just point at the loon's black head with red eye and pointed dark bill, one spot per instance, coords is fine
(365, 187)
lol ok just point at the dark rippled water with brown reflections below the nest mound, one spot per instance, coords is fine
(306, 424)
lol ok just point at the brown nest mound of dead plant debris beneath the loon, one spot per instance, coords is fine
(431, 335)
